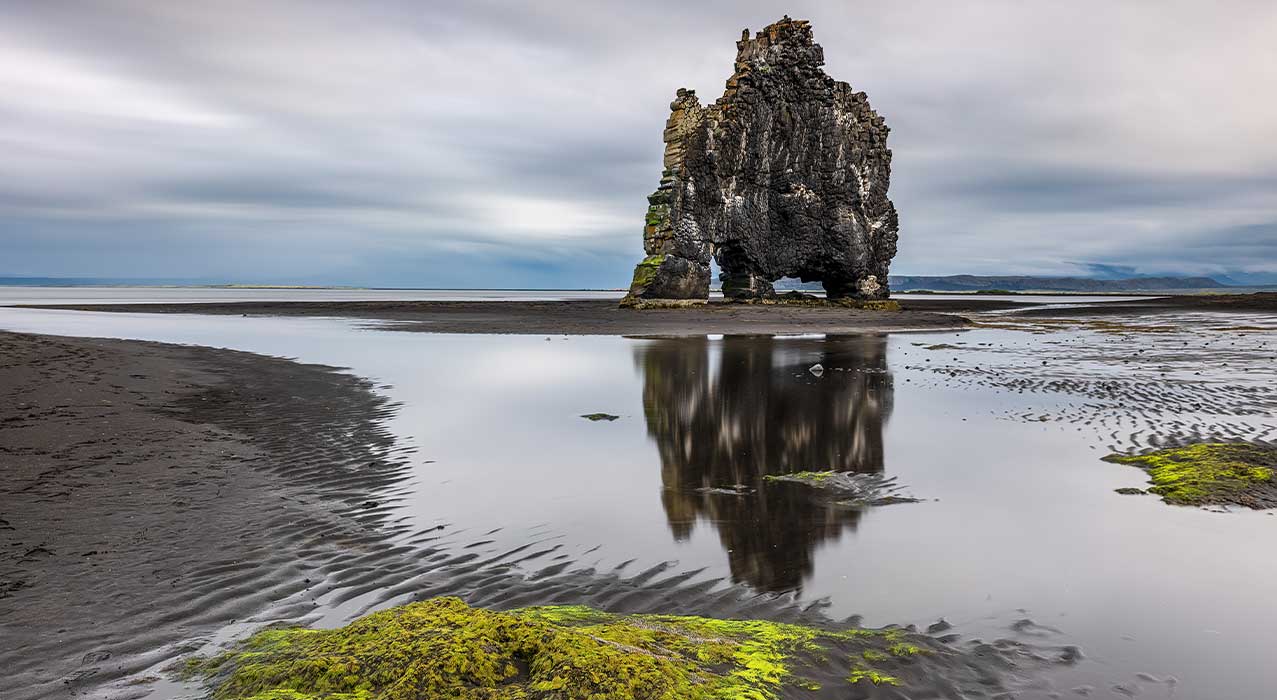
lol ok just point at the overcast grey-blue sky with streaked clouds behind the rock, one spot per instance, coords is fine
(513, 145)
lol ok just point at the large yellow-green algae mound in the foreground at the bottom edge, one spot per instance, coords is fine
(444, 648)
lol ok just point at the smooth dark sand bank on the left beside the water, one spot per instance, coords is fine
(153, 494)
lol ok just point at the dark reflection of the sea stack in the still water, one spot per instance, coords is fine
(732, 412)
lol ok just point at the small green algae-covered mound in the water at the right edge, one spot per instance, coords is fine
(1210, 473)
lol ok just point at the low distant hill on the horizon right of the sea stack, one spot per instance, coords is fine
(978, 283)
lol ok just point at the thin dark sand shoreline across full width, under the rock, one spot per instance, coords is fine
(605, 317)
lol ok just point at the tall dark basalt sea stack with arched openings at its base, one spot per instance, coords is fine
(786, 176)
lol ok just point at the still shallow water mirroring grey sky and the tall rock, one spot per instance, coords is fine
(998, 431)
